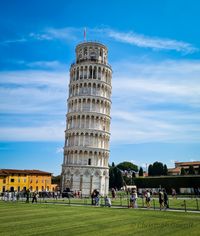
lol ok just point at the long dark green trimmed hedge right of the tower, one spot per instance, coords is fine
(168, 182)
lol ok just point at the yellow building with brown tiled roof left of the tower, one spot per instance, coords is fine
(21, 180)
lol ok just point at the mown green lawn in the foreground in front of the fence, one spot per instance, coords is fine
(52, 219)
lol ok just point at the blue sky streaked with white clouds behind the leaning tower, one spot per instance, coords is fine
(154, 51)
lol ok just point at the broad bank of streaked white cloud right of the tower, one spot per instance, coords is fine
(156, 102)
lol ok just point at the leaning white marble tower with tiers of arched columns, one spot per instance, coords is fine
(87, 135)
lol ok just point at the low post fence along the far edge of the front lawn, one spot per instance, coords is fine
(185, 204)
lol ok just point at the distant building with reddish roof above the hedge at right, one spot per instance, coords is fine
(185, 165)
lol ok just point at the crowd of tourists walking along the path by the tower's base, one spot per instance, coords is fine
(132, 196)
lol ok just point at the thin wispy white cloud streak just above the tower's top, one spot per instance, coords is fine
(133, 38)
